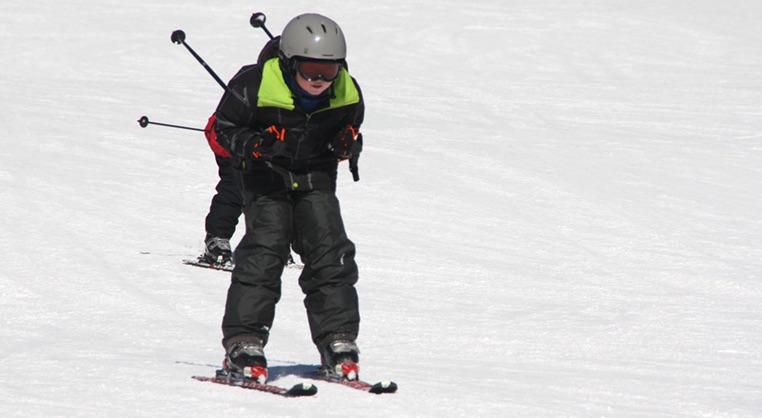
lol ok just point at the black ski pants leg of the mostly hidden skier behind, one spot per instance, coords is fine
(227, 204)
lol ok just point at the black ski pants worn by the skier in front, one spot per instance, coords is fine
(312, 222)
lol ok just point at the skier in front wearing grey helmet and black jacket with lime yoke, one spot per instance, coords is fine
(289, 120)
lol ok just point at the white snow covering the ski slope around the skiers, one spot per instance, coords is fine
(559, 211)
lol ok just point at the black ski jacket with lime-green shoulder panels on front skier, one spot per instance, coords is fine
(260, 98)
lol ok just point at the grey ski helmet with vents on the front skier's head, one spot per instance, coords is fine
(313, 36)
